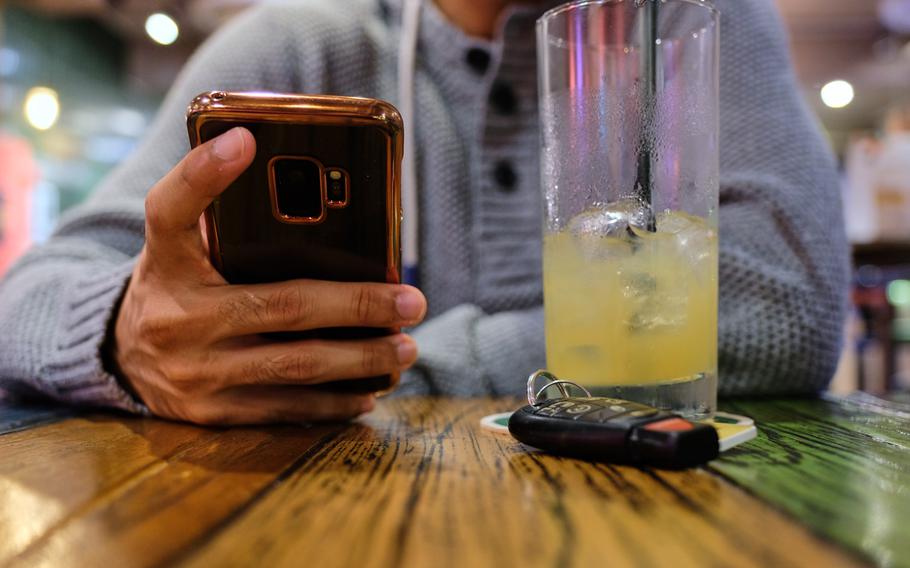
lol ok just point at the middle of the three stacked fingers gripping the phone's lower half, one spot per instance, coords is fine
(313, 362)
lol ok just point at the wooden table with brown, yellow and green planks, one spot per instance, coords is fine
(419, 483)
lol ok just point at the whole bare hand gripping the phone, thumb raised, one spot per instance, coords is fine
(189, 344)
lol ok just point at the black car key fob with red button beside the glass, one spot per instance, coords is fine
(614, 430)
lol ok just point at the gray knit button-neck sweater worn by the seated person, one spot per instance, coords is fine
(783, 267)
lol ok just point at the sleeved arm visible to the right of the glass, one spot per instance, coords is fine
(784, 263)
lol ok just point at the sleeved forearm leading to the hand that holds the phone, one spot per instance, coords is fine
(54, 310)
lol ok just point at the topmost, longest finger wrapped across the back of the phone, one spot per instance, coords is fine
(311, 304)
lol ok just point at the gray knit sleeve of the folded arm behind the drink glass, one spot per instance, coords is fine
(783, 258)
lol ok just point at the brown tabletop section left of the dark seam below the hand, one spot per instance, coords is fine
(116, 491)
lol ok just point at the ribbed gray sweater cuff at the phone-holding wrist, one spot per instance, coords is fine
(75, 371)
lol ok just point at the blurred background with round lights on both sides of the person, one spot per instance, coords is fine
(80, 81)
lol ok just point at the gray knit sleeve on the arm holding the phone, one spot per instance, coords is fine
(57, 302)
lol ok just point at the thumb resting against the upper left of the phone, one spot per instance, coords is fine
(175, 203)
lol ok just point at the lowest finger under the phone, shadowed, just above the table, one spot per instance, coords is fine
(269, 405)
